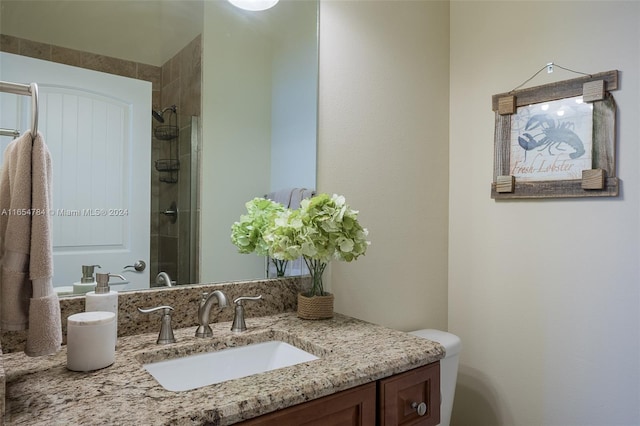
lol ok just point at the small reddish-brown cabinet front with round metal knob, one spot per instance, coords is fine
(401, 397)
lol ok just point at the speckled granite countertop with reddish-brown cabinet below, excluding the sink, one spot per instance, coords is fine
(364, 372)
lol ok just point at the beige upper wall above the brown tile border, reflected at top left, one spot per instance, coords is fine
(148, 32)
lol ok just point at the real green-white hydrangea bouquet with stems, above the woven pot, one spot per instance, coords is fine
(322, 229)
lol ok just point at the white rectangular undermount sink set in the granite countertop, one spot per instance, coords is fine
(195, 371)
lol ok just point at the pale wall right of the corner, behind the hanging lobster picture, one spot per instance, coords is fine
(544, 294)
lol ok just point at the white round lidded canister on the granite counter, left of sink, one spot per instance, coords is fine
(91, 340)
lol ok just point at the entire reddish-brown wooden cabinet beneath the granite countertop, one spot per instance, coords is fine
(410, 398)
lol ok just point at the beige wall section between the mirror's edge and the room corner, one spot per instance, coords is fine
(383, 144)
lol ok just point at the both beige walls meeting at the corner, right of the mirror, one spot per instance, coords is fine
(544, 294)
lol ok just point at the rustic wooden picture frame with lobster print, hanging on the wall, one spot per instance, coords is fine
(568, 156)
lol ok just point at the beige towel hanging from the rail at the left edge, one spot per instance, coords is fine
(27, 298)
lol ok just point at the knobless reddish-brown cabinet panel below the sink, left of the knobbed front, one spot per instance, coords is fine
(355, 407)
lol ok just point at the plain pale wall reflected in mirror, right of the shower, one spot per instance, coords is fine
(252, 72)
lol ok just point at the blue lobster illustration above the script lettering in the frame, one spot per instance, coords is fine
(551, 134)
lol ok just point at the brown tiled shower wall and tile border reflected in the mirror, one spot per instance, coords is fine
(177, 82)
